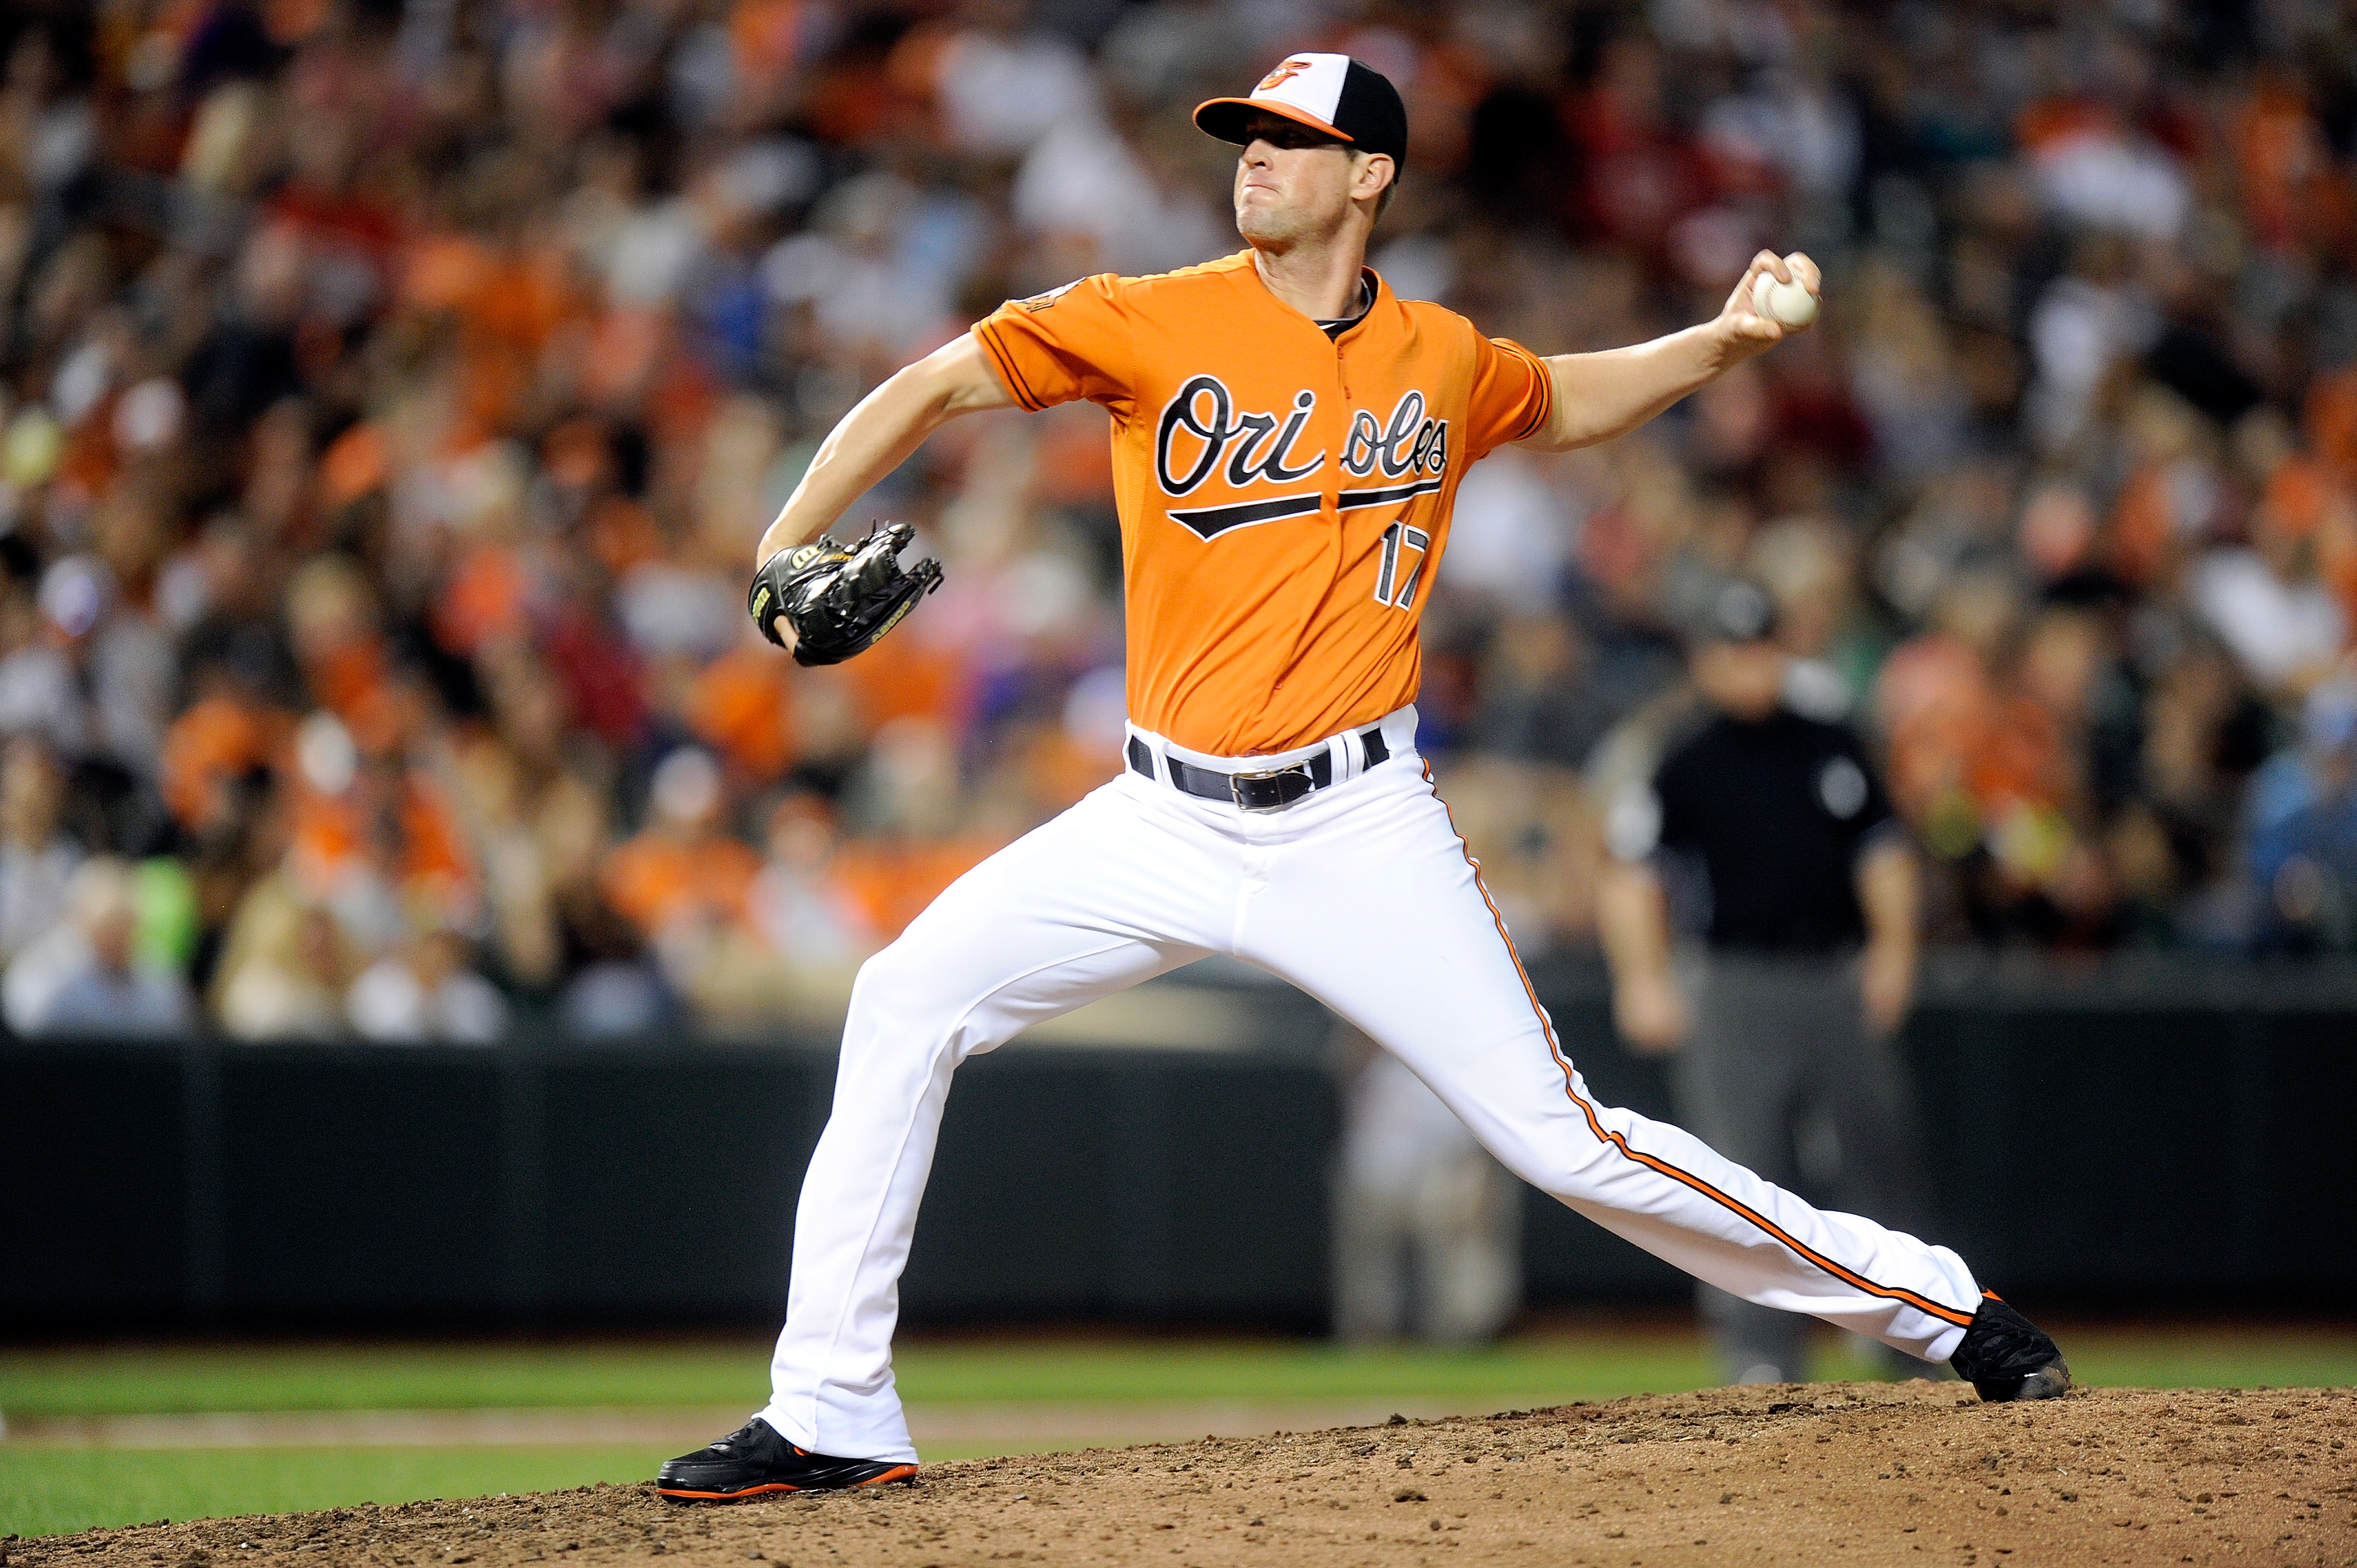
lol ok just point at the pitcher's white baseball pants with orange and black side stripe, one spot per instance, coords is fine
(1364, 897)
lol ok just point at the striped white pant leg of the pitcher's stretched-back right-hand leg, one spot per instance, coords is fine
(1375, 909)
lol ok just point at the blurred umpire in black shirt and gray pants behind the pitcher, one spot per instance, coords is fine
(1785, 1060)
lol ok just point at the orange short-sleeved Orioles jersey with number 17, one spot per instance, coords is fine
(1283, 496)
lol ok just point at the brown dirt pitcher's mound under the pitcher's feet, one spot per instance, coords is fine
(1781, 1475)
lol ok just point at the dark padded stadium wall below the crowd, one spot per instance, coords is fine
(2172, 1140)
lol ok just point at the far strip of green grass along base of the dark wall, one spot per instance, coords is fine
(1526, 1371)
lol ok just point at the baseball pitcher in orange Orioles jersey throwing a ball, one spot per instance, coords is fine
(1288, 437)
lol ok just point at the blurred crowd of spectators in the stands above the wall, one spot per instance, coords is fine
(392, 395)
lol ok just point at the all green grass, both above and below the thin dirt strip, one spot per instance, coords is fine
(53, 1489)
